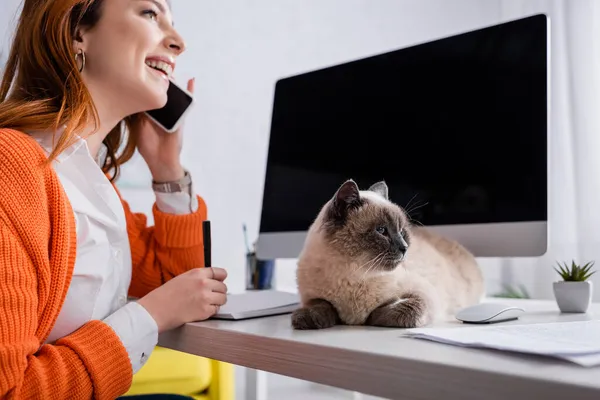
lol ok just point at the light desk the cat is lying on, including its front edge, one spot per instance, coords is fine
(379, 362)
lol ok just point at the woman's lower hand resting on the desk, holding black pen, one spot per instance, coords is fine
(192, 296)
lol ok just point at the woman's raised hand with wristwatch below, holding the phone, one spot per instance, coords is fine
(160, 149)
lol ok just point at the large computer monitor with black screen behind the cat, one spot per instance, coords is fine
(456, 127)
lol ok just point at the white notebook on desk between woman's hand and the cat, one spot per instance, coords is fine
(259, 303)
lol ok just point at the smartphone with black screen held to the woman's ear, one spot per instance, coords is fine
(179, 102)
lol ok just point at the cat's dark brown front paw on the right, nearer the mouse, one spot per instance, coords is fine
(408, 312)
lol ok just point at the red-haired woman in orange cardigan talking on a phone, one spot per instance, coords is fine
(71, 251)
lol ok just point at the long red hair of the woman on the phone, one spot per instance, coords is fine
(47, 89)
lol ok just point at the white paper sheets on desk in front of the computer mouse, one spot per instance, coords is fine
(578, 341)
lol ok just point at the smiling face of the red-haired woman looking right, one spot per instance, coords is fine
(130, 53)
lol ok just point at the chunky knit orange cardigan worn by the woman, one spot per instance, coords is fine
(37, 255)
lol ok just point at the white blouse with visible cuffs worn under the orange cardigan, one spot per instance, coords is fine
(102, 272)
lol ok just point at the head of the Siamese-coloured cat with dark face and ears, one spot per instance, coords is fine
(366, 226)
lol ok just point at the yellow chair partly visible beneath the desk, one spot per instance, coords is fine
(174, 372)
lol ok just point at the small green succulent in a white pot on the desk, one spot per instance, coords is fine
(574, 293)
